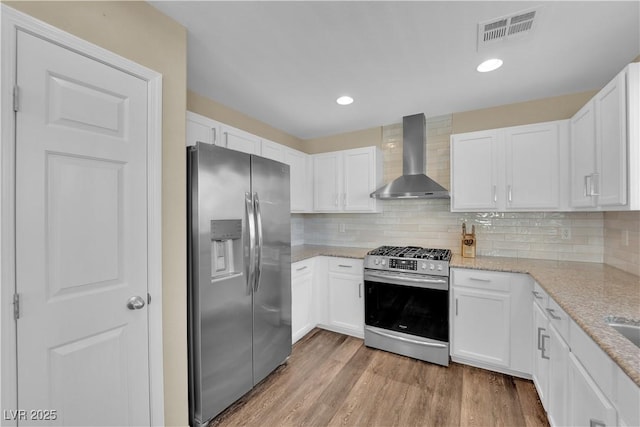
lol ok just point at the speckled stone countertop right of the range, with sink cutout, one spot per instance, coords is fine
(588, 292)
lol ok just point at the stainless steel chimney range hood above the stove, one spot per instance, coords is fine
(413, 184)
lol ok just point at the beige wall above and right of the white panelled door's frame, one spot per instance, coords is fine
(139, 32)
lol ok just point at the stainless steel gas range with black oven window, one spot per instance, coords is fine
(407, 302)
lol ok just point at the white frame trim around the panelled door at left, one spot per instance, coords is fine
(13, 21)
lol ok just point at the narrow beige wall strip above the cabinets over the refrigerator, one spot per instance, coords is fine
(214, 110)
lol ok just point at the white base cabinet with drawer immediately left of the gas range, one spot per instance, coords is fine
(345, 297)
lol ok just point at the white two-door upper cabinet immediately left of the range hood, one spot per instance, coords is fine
(344, 179)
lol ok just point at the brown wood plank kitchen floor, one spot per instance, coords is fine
(334, 380)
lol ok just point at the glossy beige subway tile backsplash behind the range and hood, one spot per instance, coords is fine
(429, 223)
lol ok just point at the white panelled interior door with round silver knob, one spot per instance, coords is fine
(81, 238)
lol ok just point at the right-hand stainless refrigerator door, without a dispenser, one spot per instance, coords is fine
(272, 296)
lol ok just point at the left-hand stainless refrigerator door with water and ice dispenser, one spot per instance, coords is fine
(220, 306)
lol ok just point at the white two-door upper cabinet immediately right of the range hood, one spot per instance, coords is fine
(509, 169)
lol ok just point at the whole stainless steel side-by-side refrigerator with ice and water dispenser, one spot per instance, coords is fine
(239, 284)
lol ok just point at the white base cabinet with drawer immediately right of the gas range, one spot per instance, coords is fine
(491, 320)
